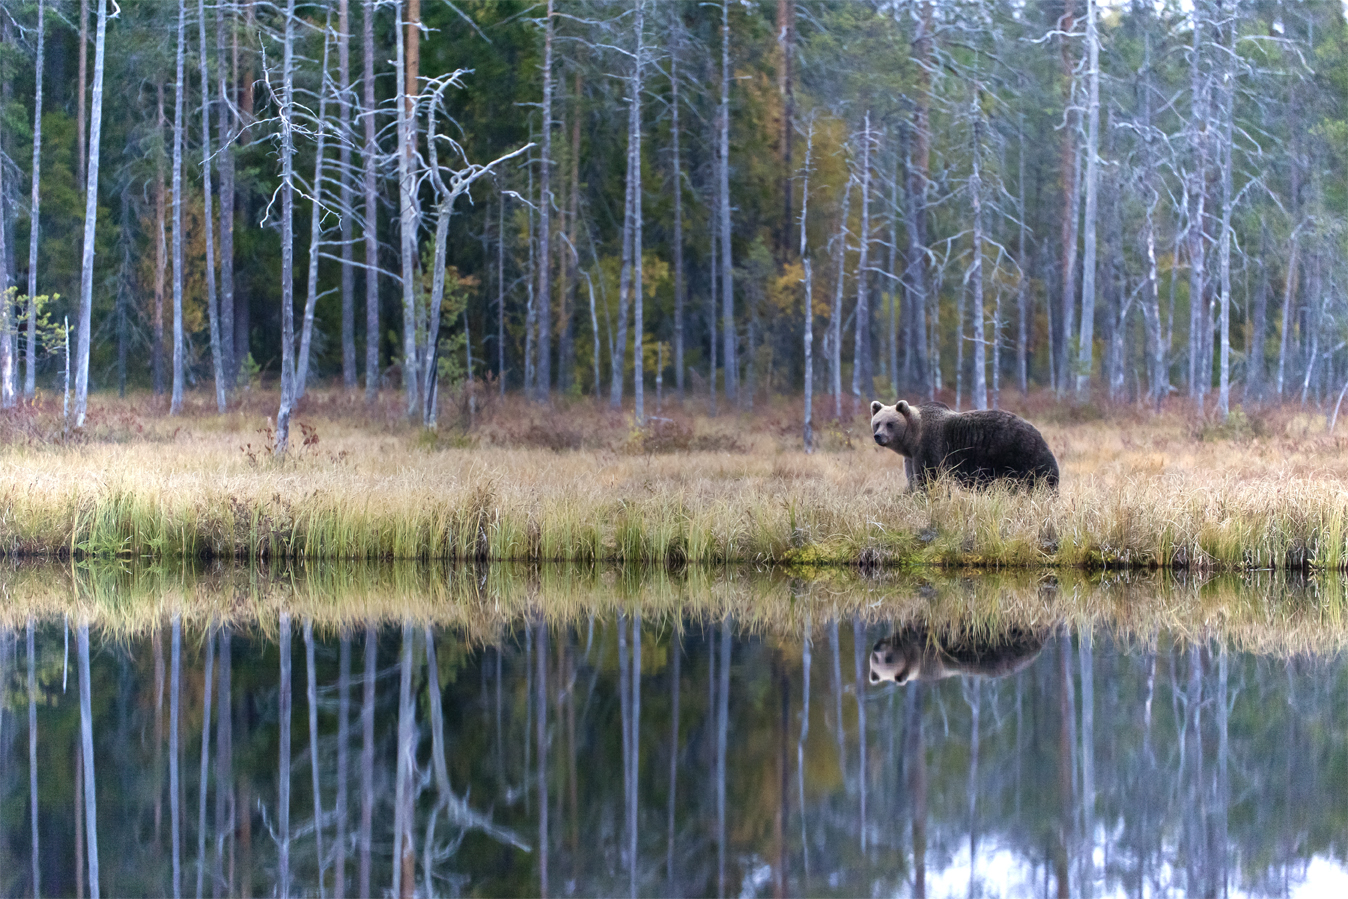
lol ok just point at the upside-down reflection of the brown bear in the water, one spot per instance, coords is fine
(916, 654)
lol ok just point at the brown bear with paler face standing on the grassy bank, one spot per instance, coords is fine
(973, 448)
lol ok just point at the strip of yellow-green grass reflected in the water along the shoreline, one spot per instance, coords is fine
(1268, 613)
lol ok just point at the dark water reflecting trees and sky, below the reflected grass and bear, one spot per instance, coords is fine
(1160, 766)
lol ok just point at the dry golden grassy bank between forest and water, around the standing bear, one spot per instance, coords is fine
(578, 485)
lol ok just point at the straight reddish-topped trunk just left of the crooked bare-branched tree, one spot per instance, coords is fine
(409, 57)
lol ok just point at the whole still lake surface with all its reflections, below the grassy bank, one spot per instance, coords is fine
(304, 735)
